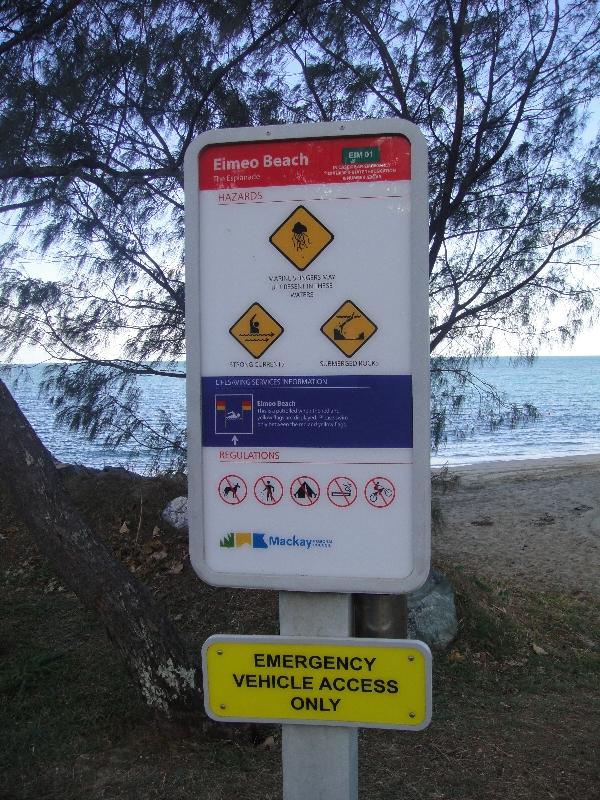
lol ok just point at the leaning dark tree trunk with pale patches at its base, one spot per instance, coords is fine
(148, 643)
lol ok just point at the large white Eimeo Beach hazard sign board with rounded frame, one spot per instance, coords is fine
(308, 357)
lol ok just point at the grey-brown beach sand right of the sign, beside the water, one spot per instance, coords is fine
(531, 522)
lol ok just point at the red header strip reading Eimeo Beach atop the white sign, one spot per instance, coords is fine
(290, 162)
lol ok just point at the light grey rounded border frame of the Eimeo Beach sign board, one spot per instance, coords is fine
(203, 539)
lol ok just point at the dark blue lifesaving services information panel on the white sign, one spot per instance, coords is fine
(308, 411)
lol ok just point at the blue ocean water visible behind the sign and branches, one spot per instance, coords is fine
(565, 391)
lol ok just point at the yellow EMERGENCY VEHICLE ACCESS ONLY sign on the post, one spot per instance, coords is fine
(367, 683)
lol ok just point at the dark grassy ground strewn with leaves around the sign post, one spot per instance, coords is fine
(73, 727)
